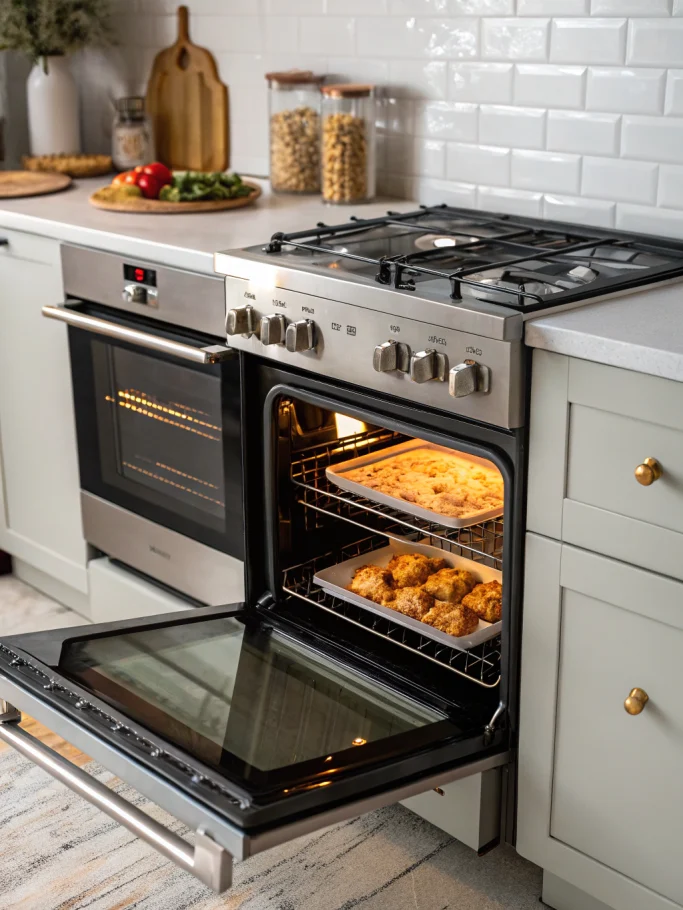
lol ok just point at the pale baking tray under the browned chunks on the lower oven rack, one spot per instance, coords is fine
(336, 579)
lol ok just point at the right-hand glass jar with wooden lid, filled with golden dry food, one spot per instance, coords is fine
(348, 143)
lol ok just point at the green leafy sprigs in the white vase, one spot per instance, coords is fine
(48, 28)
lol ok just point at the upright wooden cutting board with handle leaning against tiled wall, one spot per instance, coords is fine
(188, 105)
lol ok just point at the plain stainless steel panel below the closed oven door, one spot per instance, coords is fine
(180, 562)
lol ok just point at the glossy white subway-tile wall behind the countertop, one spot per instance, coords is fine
(571, 109)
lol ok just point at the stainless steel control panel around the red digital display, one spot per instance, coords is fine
(183, 298)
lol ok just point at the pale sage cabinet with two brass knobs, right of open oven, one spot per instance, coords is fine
(600, 807)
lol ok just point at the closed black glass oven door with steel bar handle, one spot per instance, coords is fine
(158, 424)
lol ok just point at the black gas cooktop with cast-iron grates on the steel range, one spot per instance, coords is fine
(522, 264)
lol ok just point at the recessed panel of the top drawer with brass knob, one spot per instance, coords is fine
(604, 451)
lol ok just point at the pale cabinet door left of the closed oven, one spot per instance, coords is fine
(42, 518)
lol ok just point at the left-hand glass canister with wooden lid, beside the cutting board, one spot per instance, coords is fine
(294, 106)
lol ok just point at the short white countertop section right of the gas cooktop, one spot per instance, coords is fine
(642, 331)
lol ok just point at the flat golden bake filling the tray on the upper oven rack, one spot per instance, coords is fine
(437, 480)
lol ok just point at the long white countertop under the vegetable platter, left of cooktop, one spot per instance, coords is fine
(184, 241)
